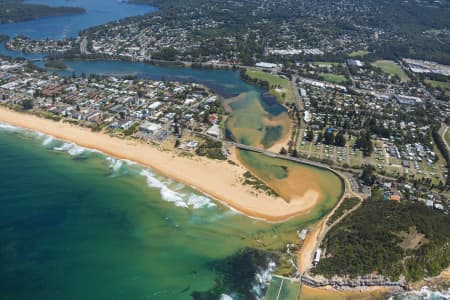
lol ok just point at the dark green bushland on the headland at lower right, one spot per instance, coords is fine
(368, 241)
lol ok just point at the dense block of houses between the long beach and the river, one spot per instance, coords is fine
(151, 110)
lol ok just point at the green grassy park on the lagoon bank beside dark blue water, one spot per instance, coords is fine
(283, 94)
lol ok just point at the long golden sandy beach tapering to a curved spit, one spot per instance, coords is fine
(217, 179)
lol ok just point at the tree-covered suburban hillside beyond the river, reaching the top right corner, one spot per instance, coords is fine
(243, 30)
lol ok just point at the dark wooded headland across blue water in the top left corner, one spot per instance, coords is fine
(16, 11)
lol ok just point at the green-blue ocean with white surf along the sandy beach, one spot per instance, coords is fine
(77, 224)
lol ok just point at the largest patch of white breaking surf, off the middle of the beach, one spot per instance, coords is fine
(174, 196)
